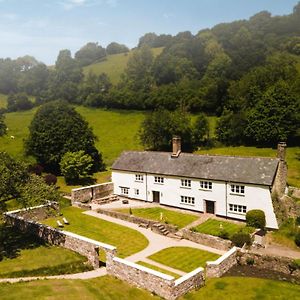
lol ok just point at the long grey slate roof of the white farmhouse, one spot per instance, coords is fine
(254, 170)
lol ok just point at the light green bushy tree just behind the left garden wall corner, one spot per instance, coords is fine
(36, 192)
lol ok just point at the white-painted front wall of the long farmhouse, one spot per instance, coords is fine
(255, 196)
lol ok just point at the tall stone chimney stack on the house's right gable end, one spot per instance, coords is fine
(281, 175)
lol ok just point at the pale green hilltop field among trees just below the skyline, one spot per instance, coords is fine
(114, 65)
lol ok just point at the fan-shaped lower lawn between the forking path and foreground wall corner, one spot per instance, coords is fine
(185, 259)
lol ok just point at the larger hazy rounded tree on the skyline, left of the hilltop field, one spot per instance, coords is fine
(89, 53)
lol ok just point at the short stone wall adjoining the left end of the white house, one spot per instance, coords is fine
(92, 192)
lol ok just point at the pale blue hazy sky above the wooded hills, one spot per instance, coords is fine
(43, 27)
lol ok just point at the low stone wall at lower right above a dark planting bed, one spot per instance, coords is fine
(272, 263)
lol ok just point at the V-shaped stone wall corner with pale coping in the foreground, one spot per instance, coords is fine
(156, 282)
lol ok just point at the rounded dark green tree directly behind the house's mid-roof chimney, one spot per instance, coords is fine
(159, 127)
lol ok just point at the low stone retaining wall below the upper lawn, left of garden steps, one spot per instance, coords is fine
(135, 220)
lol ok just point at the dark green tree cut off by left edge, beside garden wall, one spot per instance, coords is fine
(13, 175)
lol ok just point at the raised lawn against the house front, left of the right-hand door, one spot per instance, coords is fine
(179, 219)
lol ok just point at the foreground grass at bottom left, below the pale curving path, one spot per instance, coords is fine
(106, 288)
